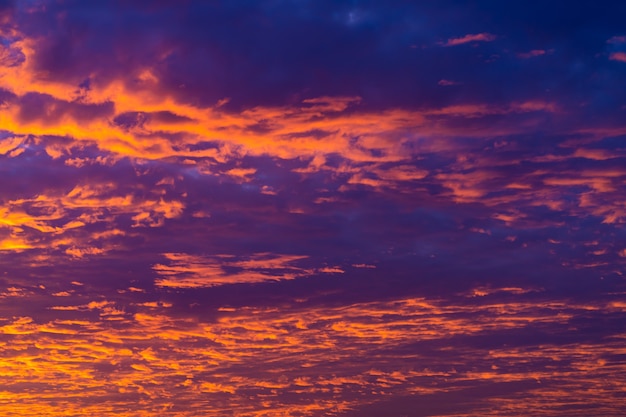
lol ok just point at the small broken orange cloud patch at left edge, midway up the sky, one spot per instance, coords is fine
(57, 219)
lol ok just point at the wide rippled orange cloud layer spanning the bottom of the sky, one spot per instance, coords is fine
(257, 359)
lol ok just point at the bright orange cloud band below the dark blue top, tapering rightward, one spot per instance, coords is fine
(146, 124)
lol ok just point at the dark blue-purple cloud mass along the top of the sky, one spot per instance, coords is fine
(279, 52)
